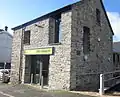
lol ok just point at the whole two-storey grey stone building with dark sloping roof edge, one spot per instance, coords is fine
(69, 47)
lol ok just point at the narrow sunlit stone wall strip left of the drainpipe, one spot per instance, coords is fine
(15, 60)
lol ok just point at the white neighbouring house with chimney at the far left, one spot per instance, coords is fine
(5, 49)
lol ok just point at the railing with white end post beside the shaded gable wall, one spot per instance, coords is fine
(108, 79)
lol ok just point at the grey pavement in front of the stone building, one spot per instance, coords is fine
(29, 91)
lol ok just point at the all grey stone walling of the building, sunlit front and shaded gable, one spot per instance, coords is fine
(66, 67)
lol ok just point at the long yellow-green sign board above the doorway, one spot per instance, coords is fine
(40, 51)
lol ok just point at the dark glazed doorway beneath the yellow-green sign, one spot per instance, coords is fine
(39, 66)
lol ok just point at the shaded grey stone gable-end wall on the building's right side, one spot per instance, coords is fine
(85, 73)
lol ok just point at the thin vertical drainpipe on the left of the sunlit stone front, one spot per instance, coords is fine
(21, 56)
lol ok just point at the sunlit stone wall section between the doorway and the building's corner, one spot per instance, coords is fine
(59, 75)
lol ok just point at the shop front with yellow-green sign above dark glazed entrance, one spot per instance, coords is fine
(37, 66)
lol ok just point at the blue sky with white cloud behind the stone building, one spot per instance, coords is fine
(16, 12)
